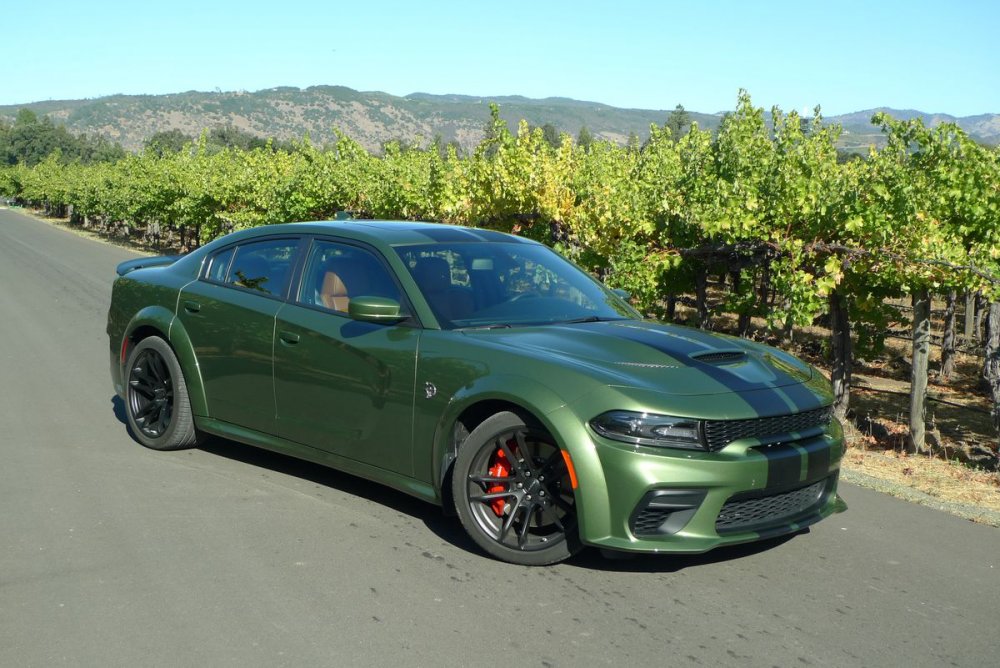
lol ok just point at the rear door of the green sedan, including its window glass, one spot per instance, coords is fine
(229, 316)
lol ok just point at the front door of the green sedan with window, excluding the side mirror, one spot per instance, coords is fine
(342, 385)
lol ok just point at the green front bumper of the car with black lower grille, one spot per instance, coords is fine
(642, 499)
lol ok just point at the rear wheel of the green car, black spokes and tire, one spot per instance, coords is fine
(156, 398)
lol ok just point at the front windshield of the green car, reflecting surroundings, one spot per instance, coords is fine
(491, 284)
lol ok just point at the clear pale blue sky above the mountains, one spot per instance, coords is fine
(845, 56)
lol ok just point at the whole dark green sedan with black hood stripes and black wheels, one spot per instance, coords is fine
(481, 372)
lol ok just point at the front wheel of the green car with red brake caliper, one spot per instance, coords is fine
(513, 495)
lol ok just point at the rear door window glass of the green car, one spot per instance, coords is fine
(261, 266)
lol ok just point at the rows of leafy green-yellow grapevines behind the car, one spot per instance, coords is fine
(758, 227)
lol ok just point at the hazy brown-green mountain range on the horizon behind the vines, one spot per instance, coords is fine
(373, 117)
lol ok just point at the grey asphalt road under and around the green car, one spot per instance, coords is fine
(114, 555)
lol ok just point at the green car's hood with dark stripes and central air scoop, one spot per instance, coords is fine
(655, 356)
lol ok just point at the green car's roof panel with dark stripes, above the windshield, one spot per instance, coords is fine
(393, 232)
